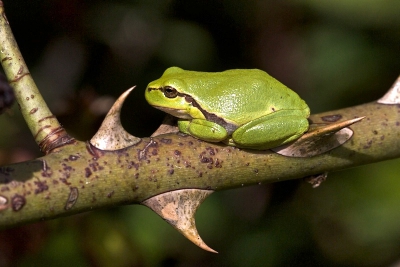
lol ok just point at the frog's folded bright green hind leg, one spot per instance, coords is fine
(272, 130)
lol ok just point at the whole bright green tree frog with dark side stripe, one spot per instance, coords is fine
(246, 108)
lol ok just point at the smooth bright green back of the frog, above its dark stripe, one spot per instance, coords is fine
(240, 95)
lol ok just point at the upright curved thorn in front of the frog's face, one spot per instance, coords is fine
(111, 135)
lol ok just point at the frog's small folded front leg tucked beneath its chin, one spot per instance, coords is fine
(204, 130)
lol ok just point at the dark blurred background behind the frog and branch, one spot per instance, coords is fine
(84, 54)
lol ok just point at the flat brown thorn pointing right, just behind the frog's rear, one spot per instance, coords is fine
(319, 140)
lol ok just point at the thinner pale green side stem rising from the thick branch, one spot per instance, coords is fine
(44, 126)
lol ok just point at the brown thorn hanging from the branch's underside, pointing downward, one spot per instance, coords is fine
(178, 209)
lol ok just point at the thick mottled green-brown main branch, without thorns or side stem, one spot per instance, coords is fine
(80, 177)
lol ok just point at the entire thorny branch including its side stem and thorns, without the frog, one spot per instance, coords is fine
(79, 176)
